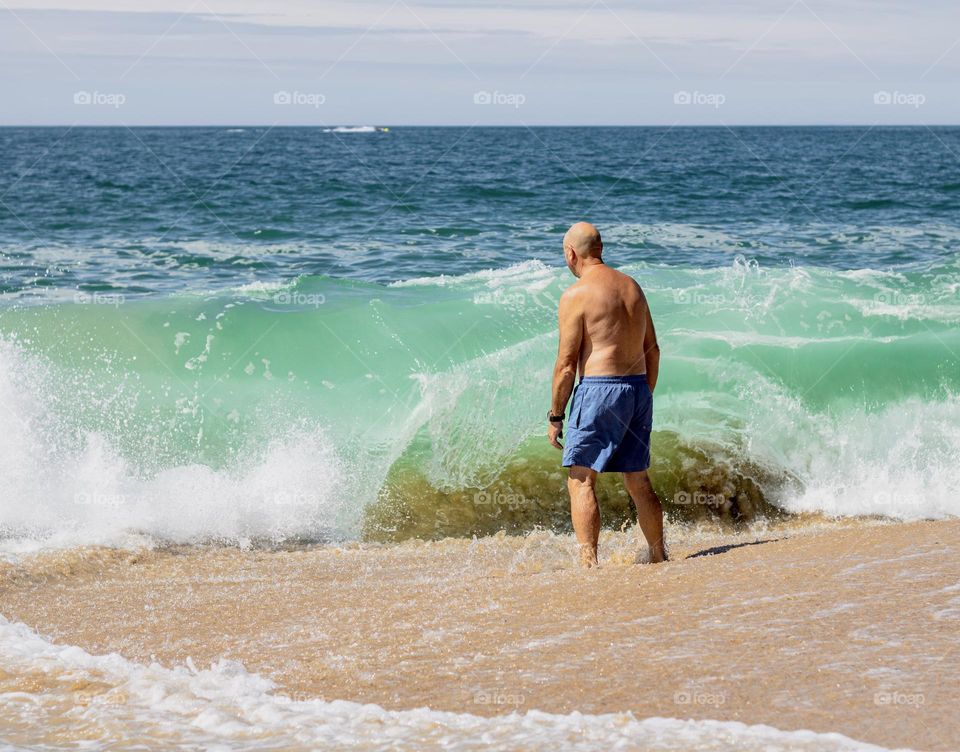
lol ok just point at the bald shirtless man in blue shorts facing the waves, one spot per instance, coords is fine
(606, 332)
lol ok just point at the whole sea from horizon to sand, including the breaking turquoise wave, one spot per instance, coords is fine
(291, 333)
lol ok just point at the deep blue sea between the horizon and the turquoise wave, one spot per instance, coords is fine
(153, 210)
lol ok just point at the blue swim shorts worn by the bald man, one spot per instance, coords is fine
(609, 426)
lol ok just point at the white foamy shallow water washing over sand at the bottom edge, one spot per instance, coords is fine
(62, 697)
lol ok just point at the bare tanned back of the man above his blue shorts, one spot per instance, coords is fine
(615, 321)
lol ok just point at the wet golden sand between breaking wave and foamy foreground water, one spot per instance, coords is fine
(848, 627)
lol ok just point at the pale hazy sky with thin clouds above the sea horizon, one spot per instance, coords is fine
(479, 62)
